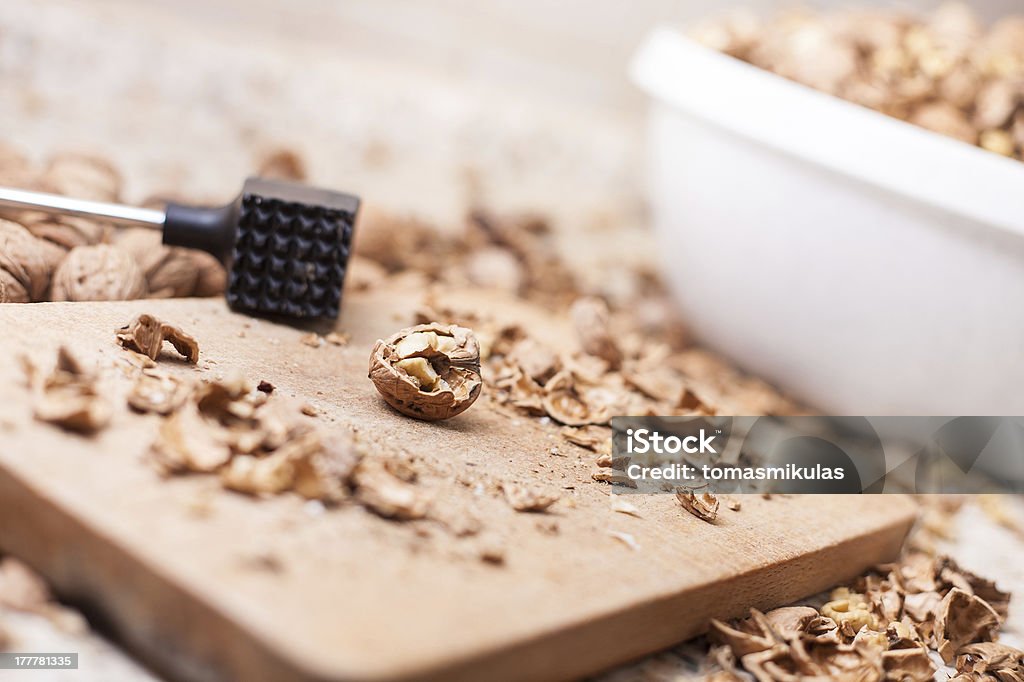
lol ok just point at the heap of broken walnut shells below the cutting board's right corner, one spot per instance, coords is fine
(882, 627)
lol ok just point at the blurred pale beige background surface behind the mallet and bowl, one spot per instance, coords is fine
(422, 107)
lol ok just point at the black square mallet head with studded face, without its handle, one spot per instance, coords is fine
(290, 250)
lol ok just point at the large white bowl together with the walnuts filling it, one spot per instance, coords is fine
(840, 198)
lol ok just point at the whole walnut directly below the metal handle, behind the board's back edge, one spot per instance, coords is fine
(100, 273)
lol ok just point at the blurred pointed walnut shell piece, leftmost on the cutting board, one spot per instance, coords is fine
(69, 397)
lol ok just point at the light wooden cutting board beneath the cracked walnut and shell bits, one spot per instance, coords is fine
(210, 585)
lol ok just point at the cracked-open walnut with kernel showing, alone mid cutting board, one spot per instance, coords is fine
(430, 372)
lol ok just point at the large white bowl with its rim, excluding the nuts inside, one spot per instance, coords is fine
(865, 265)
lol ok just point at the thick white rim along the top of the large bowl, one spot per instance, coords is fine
(847, 139)
